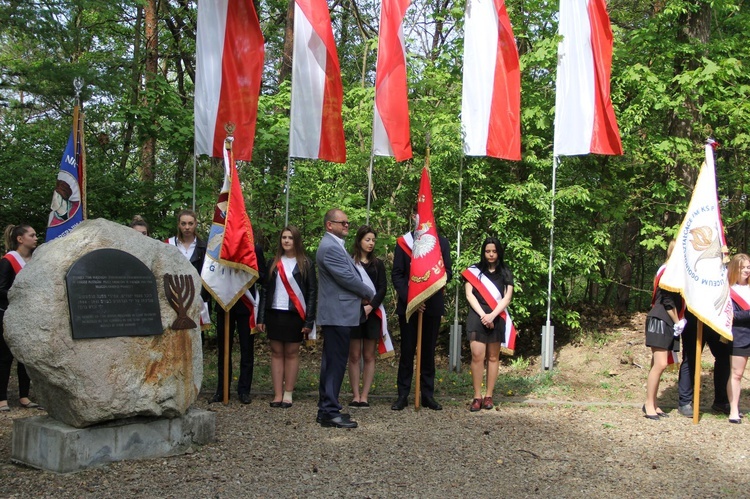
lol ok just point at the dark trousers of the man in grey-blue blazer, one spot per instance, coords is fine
(332, 369)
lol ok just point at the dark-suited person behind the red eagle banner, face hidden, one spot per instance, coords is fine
(432, 311)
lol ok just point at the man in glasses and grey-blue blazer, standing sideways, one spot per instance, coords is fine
(341, 294)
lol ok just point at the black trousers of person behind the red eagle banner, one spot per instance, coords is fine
(430, 328)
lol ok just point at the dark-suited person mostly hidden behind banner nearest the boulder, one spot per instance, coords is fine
(239, 320)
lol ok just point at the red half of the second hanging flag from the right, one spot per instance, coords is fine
(504, 138)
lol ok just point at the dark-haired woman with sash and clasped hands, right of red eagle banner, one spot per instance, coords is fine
(489, 289)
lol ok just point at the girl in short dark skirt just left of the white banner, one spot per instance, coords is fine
(664, 324)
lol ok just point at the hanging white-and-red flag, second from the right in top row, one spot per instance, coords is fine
(491, 100)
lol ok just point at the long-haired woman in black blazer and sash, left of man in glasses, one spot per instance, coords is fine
(286, 312)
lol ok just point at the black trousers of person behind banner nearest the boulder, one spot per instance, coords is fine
(240, 323)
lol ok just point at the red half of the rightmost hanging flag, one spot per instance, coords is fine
(606, 135)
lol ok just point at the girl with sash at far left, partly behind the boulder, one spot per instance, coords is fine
(20, 241)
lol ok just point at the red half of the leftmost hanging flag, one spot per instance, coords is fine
(241, 72)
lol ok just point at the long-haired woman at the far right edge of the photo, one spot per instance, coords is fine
(739, 279)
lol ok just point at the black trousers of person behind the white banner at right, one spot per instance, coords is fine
(721, 352)
